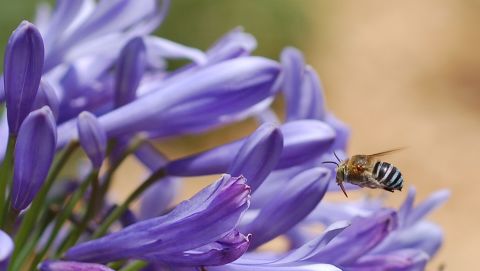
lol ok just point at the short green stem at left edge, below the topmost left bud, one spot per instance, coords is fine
(6, 173)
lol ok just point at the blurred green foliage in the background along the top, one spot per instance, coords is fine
(199, 23)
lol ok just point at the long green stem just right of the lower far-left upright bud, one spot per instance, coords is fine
(38, 204)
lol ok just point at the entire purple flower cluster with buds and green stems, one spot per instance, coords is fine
(90, 76)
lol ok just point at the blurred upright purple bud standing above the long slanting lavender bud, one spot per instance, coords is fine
(130, 69)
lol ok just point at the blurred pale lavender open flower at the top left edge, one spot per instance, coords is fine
(78, 29)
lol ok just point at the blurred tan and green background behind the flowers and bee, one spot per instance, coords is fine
(400, 73)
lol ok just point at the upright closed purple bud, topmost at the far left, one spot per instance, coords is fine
(23, 69)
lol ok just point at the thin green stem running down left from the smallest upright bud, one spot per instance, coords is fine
(65, 214)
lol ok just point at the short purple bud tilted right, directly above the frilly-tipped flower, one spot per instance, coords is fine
(258, 155)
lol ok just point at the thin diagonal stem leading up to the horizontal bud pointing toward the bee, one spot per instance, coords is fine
(117, 212)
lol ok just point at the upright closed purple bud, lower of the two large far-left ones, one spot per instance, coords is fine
(34, 152)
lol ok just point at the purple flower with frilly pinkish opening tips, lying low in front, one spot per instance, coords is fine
(204, 220)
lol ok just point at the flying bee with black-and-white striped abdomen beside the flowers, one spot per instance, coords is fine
(368, 171)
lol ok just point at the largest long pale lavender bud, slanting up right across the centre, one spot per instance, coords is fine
(208, 98)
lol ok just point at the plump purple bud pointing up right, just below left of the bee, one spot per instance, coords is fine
(288, 207)
